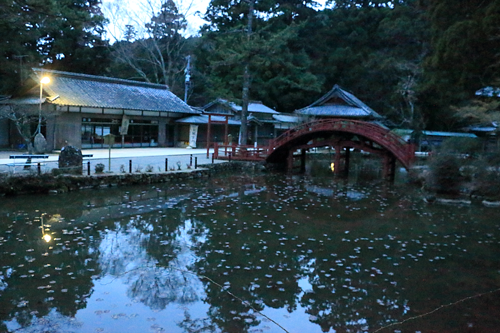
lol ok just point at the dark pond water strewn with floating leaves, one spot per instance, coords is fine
(249, 253)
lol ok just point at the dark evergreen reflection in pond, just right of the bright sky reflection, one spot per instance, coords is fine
(247, 263)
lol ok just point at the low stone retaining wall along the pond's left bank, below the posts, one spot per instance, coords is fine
(52, 184)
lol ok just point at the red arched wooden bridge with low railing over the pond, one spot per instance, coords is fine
(341, 134)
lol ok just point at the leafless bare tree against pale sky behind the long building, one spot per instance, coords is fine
(154, 42)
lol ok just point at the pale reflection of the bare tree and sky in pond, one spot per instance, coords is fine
(150, 254)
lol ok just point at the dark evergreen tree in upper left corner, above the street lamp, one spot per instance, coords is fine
(63, 34)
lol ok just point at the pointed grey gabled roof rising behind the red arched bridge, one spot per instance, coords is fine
(339, 103)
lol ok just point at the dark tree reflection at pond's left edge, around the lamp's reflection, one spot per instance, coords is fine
(44, 281)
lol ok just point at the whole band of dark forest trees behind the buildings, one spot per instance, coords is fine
(417, 62)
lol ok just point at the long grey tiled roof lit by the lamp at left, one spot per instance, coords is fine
(103, 92)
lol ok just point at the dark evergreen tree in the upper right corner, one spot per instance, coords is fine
(464, 56)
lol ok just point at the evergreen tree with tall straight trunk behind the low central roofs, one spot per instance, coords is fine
(278, 67)
